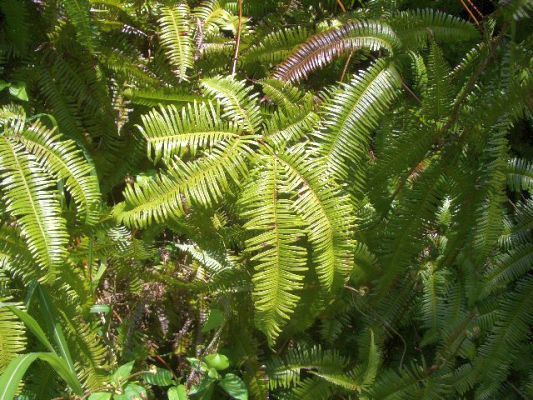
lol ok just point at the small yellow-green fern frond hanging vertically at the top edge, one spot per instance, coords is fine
(175, 31)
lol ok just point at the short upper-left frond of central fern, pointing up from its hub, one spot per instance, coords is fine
(239, 104)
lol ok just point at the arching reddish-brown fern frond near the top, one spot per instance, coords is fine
(321, 49)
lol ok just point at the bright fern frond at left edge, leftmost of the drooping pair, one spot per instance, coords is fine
(31, 200)
